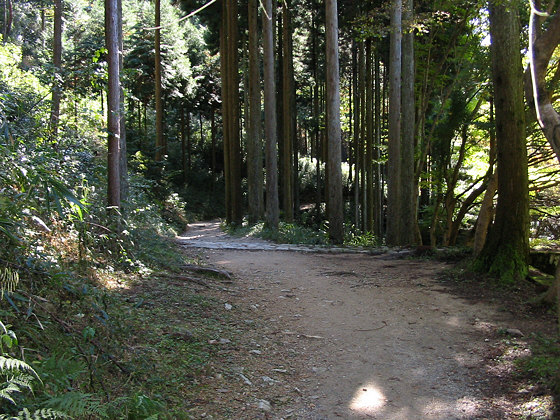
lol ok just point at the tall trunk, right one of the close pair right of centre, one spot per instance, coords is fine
(407, 229)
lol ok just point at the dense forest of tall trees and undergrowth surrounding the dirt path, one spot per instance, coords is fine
(428, 124)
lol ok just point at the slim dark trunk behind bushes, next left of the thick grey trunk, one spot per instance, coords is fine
(57, 63)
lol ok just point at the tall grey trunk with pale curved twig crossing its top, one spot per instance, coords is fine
(272, 210)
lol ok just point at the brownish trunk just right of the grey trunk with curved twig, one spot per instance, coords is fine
(288, 113)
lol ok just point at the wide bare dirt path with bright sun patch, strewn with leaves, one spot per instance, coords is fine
(342, 334)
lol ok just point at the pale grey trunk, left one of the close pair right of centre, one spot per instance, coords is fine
(394, 141)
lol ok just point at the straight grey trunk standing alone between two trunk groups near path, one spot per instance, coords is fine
(334, 202)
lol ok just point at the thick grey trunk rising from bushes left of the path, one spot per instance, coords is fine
(113, 103)
